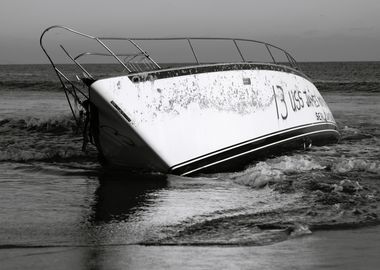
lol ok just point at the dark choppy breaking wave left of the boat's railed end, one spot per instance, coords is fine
(52, 139)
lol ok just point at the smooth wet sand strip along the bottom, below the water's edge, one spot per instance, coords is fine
(343, 249)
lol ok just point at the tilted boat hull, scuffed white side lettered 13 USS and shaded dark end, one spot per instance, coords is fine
(194, 119)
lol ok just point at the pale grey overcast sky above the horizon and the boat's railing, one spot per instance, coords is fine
(312, 30)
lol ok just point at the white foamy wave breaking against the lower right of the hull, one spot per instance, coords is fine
(286, 167)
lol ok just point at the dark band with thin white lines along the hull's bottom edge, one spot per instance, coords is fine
(237, 156)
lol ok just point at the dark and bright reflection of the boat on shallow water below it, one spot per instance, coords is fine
(174, 210)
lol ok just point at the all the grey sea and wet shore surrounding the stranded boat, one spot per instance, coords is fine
(310, 209)
